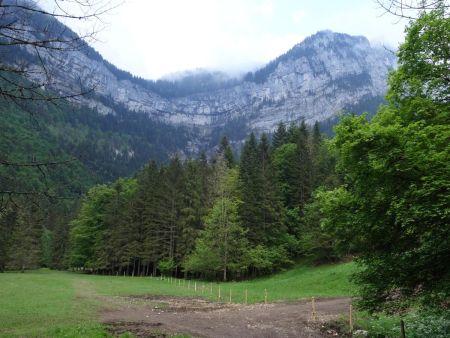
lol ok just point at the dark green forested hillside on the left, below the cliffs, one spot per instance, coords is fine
(85, 148)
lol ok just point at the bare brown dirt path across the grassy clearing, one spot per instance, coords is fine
(159, 316)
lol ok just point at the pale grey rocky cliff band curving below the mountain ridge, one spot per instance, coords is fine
(326, 73)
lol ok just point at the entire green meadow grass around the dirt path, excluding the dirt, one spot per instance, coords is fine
(50, 303)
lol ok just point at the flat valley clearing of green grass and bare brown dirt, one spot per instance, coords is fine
(47, 303)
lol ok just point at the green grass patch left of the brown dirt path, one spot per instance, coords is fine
(44, 303)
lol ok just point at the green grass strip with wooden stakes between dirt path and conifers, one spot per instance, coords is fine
(297, 283)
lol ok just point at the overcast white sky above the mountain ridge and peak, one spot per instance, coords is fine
(153, 38)
